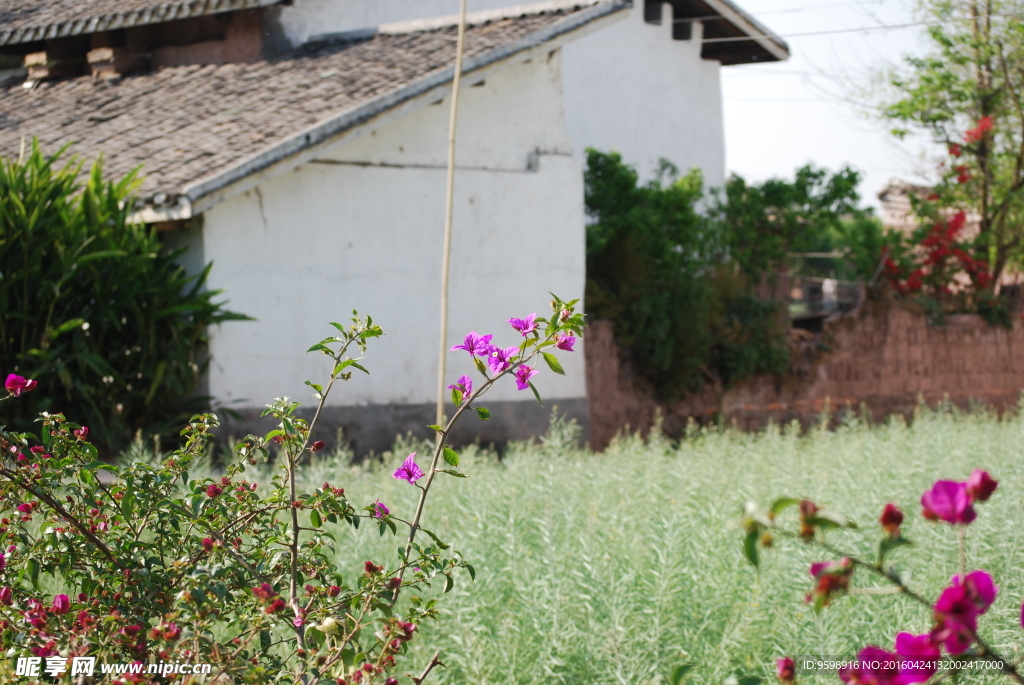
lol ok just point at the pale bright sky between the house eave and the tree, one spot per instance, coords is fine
(815, 107)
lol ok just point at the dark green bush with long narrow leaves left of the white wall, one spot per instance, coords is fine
(113, 329)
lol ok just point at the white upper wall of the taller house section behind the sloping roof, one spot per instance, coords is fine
(629, 88)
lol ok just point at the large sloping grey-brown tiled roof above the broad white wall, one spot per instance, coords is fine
(187, 125)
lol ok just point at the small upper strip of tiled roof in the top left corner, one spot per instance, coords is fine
(26, 21)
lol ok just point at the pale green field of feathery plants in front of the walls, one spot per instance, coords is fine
(616, 568)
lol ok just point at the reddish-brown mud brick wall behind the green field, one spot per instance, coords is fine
(883, 358)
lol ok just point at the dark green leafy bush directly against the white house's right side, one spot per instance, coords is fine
(659, 270)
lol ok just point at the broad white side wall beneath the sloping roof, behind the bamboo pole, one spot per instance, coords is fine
(362, 229)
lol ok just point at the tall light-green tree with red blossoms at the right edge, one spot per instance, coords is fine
(968, 94)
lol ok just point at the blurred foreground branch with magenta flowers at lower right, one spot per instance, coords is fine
(914, 659)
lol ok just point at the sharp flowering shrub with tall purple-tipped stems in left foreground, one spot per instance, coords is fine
(156, 568)
